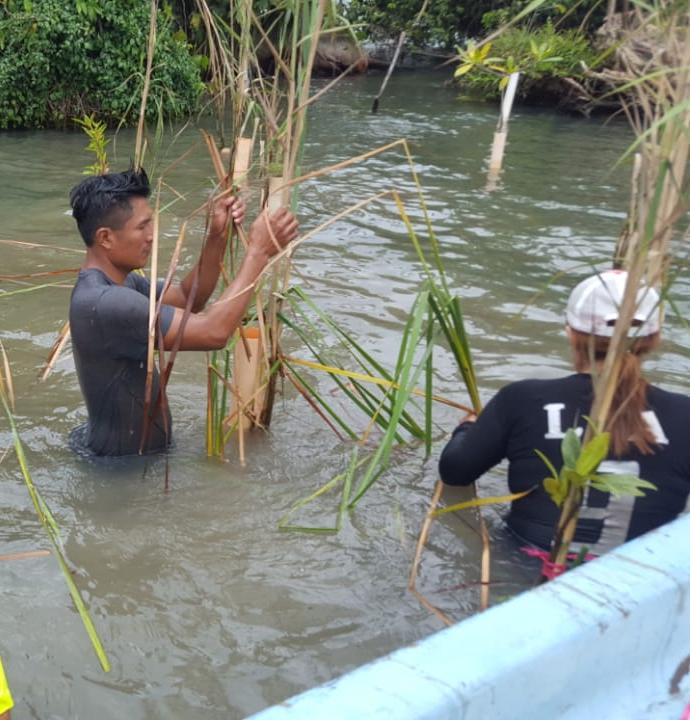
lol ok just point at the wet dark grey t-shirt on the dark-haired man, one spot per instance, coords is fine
(109, 327)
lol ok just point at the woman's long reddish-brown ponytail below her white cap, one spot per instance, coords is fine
(625, 423)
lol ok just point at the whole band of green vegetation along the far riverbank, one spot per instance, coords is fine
(64, 60)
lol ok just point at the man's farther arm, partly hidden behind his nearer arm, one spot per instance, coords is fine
(224, 211)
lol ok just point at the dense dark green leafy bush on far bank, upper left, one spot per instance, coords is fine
(61, 59)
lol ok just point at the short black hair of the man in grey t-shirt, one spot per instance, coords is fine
(103, 200)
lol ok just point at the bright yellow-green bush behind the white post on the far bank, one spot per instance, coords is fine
(538, 54)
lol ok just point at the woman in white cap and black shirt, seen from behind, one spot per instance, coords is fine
(648, 426)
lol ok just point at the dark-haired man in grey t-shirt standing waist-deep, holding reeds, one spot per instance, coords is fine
(109, 307)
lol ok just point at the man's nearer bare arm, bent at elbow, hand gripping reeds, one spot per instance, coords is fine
(212, 328)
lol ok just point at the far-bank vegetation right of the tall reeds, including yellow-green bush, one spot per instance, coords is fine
(563, 50)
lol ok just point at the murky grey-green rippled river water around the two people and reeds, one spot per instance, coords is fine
(205, 609)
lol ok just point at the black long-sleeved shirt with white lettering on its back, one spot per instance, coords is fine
(535, 414)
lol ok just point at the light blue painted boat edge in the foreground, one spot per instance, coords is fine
(609, 640)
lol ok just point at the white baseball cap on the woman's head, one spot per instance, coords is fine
(594, 305)
